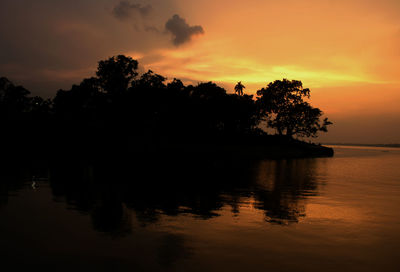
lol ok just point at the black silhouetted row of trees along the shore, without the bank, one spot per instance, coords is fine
(119, 107)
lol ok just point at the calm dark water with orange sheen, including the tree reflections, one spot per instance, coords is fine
(325, 214)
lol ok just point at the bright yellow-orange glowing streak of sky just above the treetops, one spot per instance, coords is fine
(191, 64)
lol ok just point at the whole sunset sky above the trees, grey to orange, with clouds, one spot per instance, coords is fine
(346, 51)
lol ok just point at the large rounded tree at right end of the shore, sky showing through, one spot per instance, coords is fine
(282, 105)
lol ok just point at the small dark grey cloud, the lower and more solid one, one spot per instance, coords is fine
(181, 31)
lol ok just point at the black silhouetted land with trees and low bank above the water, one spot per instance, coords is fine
(119, 114)
